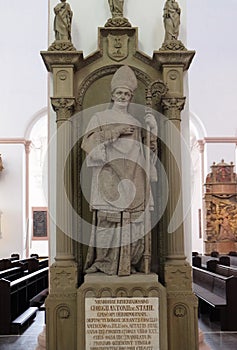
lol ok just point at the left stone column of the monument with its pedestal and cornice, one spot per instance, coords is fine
(61, 310)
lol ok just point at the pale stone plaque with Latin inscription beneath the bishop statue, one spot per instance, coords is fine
(122, 323)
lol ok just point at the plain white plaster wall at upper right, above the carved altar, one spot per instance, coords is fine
(211, 29)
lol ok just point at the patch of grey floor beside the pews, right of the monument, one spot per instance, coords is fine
(214, 337)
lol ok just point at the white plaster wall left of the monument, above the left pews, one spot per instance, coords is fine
(24, 28)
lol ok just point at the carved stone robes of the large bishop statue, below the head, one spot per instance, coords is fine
(120, 193)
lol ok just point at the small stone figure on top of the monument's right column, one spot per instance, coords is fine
(171, 23)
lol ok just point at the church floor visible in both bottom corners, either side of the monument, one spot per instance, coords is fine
(214, 338)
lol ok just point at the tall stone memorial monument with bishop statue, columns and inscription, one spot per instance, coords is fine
(120, 281)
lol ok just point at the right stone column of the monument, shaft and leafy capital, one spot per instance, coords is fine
(172, 107)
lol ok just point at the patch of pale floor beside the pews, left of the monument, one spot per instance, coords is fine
(28, 339)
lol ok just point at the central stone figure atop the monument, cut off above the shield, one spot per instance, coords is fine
(117, 20)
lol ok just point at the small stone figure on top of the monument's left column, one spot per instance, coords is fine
(62, 28)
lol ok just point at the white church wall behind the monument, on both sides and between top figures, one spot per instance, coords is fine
(210, 82)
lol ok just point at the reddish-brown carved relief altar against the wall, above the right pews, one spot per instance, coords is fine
(221, 209)
